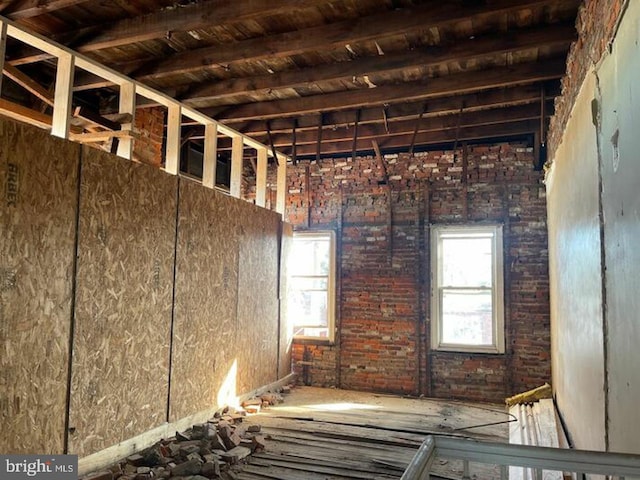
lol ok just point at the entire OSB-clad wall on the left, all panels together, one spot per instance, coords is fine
(88, 243)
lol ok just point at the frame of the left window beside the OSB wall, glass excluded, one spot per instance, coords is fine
(331, 284)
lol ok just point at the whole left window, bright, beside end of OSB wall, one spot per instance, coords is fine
(311, 303)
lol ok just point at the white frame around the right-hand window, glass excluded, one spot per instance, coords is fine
(438, 232)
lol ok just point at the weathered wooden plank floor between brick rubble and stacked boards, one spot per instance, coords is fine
(339, 434)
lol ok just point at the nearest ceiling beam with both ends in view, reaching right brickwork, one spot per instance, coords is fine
(354, 70)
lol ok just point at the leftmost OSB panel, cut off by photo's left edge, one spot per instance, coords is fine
(38, 177)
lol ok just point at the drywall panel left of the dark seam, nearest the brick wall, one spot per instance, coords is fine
(576, 278)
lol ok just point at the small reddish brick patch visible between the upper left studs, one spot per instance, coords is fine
(149, 124)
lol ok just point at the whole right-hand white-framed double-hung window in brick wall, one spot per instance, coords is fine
(467, 289)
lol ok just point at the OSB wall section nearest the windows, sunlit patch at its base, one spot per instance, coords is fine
(226, 341)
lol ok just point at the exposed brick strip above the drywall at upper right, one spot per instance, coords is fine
(596, 24)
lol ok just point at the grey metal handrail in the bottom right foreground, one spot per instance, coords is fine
(540, 458)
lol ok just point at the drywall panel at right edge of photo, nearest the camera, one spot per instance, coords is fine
(620, 147)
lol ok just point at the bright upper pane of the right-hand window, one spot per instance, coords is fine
(466, 262)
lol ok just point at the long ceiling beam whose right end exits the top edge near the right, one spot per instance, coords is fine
(335, 35)
